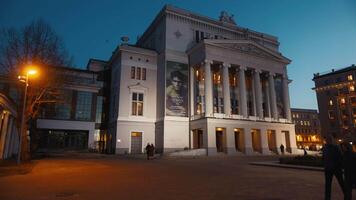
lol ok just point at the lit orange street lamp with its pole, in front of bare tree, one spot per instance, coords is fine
(30, 70)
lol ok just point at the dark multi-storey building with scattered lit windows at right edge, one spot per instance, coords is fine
(335, 91)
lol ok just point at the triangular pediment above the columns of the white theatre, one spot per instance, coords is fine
(249, 47)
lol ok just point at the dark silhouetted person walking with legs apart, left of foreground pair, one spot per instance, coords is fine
(332, 158)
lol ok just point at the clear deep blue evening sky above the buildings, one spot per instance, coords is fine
(316, 35)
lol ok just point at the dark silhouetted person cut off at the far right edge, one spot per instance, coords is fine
(349, 166)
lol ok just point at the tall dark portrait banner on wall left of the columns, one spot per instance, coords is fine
(176, 89)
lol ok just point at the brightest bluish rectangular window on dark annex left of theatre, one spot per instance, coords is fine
(83, 107)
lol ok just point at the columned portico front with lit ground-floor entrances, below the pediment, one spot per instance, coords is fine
(255, 118)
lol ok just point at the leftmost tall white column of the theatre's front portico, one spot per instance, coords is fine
(208, 87)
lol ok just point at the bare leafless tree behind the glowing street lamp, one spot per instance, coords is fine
(38, 44)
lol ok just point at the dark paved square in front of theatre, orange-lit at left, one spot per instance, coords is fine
(113, 177)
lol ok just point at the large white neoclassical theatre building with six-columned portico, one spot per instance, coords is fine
(195, 82)
